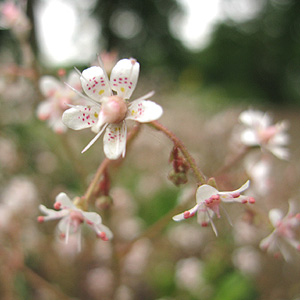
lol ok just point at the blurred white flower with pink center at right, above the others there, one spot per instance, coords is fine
(261, 132)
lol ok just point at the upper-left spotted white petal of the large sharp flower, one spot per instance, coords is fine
(95, 84)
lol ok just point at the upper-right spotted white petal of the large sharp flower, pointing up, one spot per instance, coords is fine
(124, 77)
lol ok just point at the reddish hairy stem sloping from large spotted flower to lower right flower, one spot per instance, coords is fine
(177, 142)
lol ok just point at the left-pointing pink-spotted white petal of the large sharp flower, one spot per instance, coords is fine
(80, 117)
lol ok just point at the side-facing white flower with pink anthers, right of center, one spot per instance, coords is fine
(209, 201)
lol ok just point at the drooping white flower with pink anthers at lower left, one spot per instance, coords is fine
(71, 218)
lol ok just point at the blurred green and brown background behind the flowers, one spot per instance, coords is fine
(207, 61)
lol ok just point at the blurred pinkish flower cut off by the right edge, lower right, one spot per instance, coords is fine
(283, 237)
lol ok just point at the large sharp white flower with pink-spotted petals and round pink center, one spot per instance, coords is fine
(110, 111)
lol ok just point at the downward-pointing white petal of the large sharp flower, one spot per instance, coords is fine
(115, 140)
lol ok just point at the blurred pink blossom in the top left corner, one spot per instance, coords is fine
(13, 17)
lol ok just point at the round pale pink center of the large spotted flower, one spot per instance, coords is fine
(114, 110)
